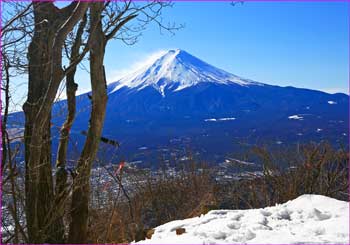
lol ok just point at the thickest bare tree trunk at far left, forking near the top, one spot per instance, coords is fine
(45, 75)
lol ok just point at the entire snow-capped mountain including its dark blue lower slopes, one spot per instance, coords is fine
(180, 103)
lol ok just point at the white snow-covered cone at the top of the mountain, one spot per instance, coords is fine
(176, 70)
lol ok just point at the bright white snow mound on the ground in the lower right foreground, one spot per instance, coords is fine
(307, 219)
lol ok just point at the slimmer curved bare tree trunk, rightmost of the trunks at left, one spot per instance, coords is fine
(81, 183)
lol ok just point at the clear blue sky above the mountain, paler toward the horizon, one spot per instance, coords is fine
(302, 44)
